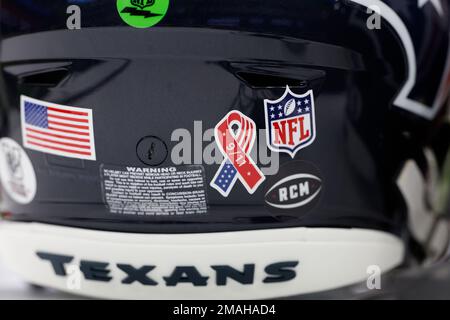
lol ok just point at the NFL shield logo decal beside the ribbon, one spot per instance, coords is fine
(290, 122)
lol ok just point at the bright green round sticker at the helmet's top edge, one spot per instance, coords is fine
(142, 13)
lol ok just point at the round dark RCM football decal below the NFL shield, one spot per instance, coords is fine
(295, 190)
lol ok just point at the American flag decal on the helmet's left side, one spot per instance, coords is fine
(56, 129)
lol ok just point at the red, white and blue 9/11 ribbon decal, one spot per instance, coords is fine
(235, 135)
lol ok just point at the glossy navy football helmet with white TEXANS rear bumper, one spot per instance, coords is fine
(116, 133)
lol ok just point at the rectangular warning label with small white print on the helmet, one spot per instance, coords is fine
(154, 191)
